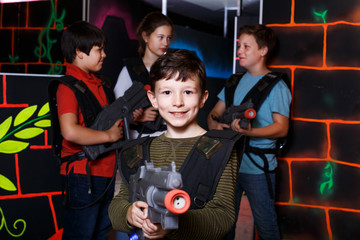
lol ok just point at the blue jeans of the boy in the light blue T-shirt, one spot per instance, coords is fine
(262, 206)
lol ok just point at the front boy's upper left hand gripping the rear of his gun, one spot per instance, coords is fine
(137, 213)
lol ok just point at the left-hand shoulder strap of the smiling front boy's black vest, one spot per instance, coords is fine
(131, 156)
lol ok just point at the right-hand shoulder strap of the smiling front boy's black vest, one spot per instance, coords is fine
(204, 165)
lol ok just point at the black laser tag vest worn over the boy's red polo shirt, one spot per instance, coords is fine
(89, 105)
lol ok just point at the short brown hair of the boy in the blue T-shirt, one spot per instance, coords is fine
(264, 36)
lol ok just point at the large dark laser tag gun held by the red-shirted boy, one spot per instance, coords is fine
(122, 108)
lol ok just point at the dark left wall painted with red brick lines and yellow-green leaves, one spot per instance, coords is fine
(31, 204)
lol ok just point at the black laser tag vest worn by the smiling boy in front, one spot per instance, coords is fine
(201, 170)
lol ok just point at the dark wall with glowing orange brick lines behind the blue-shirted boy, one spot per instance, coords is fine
(318, 47)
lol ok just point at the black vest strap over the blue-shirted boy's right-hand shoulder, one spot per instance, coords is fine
(262, 88)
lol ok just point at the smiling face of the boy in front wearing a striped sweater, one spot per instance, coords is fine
(179, 103)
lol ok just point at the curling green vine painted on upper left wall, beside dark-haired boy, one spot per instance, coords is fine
(45, 50)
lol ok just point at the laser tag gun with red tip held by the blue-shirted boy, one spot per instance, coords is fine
(245, 112)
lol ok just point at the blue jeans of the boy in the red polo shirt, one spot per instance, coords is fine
(91, 222)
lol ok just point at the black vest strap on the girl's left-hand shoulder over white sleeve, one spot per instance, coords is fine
(137, 70)
